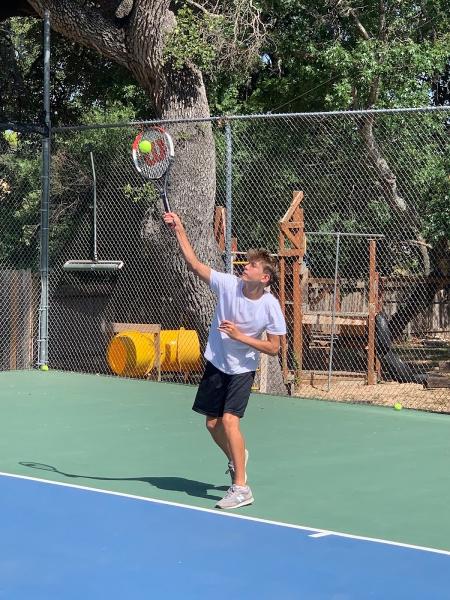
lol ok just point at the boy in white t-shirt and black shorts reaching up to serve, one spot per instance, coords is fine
(244, 311)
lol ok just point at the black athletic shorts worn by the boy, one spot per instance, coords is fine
(219, 392)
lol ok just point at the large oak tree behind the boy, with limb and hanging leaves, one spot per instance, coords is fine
(136, 35)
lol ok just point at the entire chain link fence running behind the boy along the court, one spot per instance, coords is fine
(355, 206)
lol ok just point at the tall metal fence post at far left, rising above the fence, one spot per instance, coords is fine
(45, 177)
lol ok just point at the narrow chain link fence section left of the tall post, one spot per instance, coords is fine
(19, 254)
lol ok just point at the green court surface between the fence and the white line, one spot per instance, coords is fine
(367, 471)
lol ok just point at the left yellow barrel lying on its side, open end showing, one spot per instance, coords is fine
(131, 353)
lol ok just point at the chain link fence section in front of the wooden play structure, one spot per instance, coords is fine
(367, 308)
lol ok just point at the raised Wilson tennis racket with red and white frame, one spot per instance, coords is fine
(153, 157)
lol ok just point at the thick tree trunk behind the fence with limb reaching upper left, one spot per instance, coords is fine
(139, 45)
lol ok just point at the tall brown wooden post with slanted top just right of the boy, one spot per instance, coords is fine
(292, 245)
